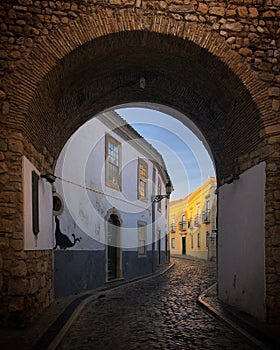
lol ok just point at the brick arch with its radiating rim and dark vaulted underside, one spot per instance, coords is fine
(212, 84)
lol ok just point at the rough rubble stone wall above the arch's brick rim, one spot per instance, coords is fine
(250, 27)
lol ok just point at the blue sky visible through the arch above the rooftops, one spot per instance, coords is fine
(187, 161)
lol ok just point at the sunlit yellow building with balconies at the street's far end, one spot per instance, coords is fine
(193, 222)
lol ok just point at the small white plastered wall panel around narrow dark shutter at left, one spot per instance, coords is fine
(44, 239)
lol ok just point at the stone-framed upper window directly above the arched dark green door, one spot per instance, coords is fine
(112, 170)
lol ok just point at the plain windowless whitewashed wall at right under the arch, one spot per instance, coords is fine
(241, 242)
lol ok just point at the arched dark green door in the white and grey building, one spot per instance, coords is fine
(113, 251)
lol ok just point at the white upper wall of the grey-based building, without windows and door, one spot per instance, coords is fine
(82, 162)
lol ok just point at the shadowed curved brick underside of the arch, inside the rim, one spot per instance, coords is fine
(178, 73)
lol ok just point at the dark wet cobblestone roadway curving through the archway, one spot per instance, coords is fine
(158, 313)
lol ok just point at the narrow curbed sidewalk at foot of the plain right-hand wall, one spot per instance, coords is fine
(232, 321)
